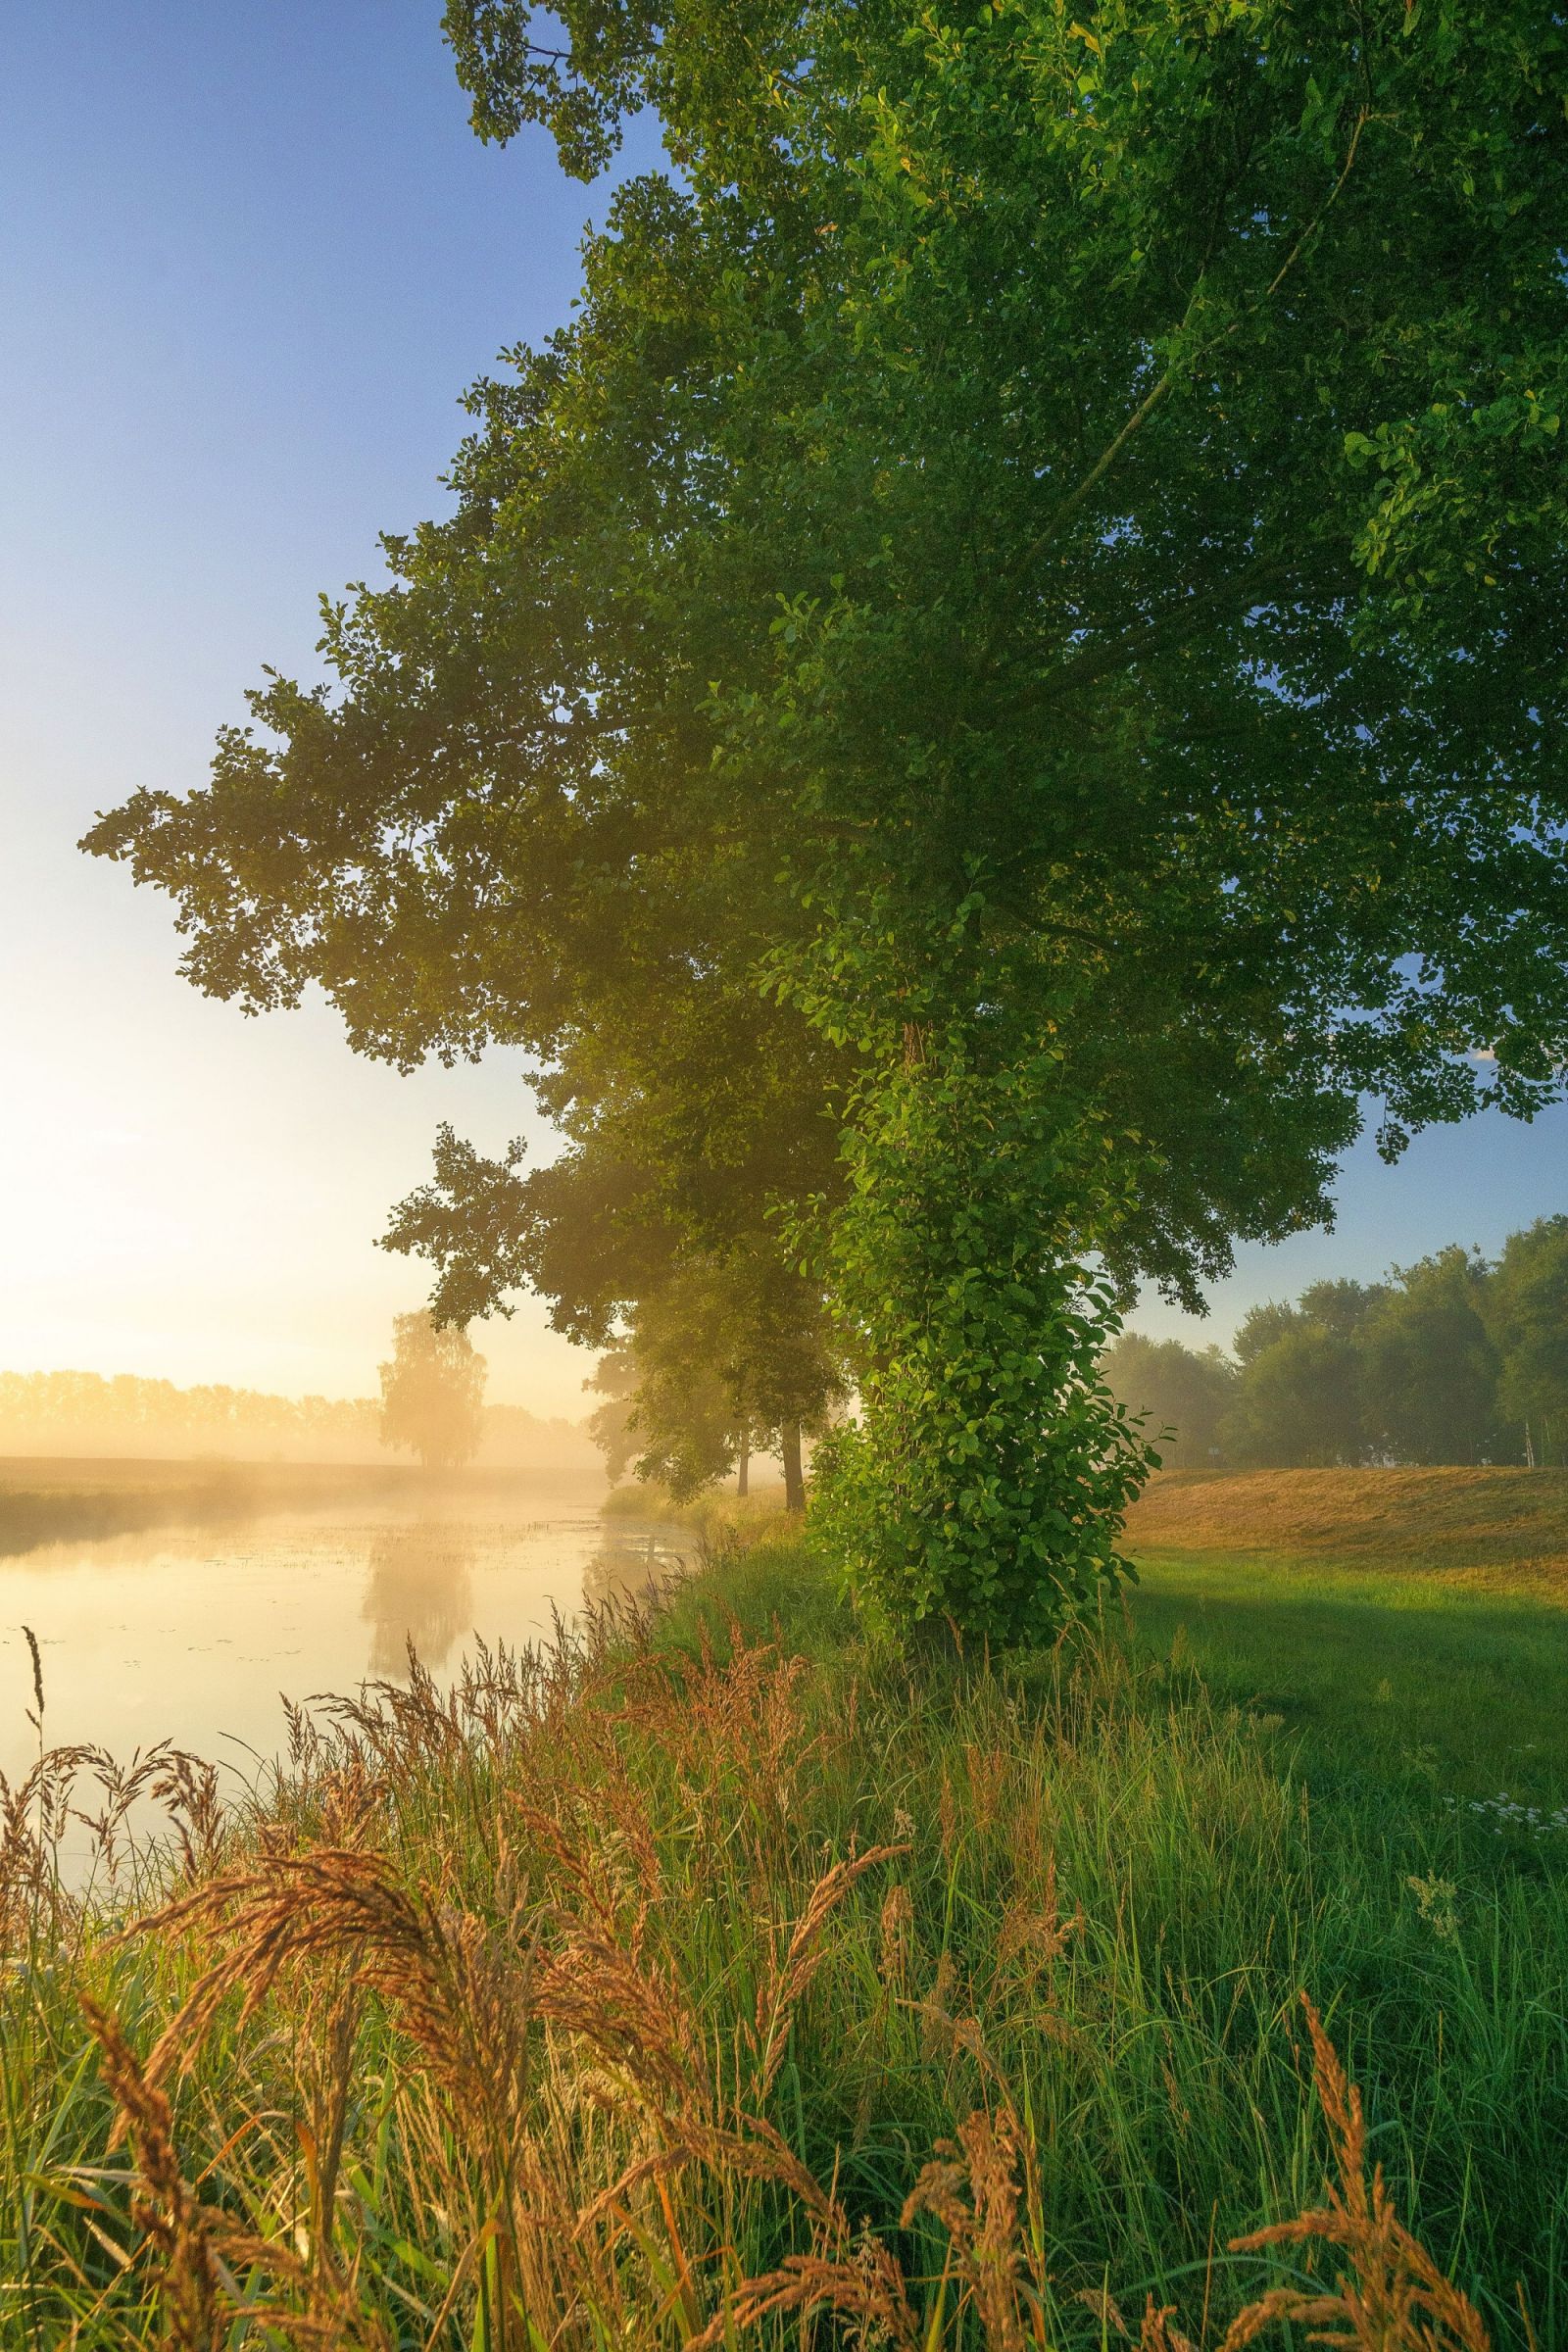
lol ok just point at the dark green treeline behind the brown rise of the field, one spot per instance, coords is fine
(1452, 1361)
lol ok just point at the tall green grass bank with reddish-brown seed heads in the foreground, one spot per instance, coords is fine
(634, 1975)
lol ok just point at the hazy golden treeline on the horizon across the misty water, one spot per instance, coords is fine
(79, 1412)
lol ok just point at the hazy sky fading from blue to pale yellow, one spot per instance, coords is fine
(248, 260)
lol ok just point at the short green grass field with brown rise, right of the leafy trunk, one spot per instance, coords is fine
(1402, 1624)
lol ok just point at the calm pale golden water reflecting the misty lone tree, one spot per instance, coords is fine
(192, 1633)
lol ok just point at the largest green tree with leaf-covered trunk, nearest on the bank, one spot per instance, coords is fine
(1031, 601)
